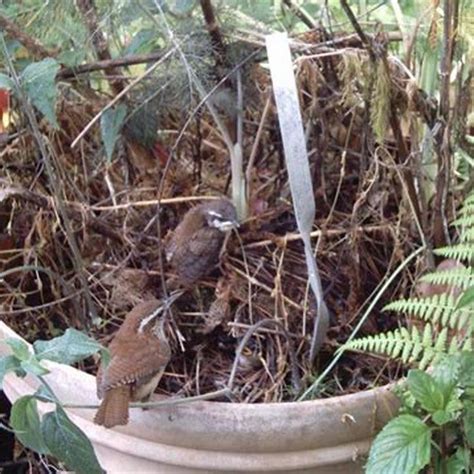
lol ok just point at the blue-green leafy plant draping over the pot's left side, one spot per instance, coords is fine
(55, 433)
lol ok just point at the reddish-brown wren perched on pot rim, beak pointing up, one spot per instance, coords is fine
(139, 353)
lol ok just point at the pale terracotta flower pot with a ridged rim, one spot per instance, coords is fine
(324, 436)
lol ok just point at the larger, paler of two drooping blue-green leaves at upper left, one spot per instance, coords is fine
(38, 80)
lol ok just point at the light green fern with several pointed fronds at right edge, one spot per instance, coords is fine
(447, 319)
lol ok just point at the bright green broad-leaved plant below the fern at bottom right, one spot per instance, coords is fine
(441, 415)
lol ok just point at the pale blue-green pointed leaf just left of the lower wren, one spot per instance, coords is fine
(69, 348)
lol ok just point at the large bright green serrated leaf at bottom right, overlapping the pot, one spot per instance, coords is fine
(402, 446)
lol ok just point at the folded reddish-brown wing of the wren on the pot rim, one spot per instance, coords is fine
(134, 359)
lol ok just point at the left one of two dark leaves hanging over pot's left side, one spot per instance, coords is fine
(24, 419)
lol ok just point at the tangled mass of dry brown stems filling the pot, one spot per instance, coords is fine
(84, 252)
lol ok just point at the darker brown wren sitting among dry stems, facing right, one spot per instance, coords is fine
(194, 248)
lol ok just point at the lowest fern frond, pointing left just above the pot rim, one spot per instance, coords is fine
(409, 346)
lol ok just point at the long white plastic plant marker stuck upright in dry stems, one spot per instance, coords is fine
(297, 163)
